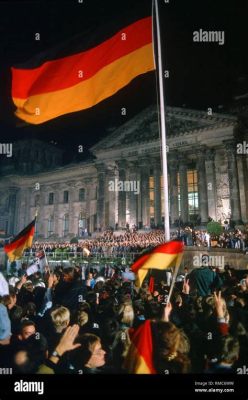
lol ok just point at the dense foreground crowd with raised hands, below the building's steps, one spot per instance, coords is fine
(82, 321)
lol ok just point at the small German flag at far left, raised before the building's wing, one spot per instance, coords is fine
(22, 241)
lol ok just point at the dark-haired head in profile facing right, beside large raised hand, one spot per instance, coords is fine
(90, 354)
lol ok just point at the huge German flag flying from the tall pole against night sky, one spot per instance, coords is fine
(79, 81)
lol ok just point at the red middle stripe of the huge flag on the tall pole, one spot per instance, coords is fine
(64, 72)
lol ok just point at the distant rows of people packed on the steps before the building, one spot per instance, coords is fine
(113, 245)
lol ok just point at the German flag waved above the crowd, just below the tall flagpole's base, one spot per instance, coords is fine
(161, 257)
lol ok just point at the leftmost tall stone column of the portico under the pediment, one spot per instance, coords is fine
(101, 196)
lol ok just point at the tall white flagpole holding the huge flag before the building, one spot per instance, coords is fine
(163, 127)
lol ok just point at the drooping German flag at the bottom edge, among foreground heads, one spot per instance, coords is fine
(139, 359)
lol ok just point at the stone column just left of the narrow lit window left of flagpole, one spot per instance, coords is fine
(145, 192)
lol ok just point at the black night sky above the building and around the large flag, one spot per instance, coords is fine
(201, 75)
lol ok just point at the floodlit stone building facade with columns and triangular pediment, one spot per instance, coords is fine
(206, 178)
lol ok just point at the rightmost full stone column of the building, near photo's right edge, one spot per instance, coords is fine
(233, 180)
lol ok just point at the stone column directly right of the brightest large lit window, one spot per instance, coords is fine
(202, 185)
